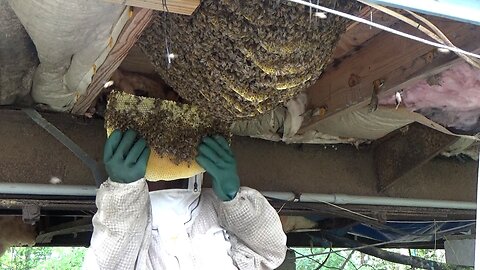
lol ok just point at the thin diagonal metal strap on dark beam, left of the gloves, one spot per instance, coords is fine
(67, 142)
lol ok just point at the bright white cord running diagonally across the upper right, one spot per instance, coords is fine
(385, 28)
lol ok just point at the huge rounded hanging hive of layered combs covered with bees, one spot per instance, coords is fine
(242, 58)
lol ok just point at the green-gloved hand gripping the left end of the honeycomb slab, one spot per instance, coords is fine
(125, 157)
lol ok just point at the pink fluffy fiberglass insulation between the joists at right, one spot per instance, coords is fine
(451, 98)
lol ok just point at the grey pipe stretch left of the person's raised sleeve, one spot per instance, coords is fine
(47, 189)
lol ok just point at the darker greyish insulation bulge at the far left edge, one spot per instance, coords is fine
(17, 57)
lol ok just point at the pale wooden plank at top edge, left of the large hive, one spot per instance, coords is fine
(185, 7)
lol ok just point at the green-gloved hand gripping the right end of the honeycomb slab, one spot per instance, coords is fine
(216, 157)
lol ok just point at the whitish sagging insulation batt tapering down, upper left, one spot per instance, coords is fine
(69, 37)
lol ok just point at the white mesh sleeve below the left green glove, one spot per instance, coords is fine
(121, 227)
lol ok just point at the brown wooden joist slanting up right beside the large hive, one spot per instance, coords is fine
(400, 62)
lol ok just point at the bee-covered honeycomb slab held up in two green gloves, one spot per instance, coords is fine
(172, 130)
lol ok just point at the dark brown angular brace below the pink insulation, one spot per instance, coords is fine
(406, 149)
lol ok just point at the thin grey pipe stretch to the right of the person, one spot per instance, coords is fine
(370, 200)
